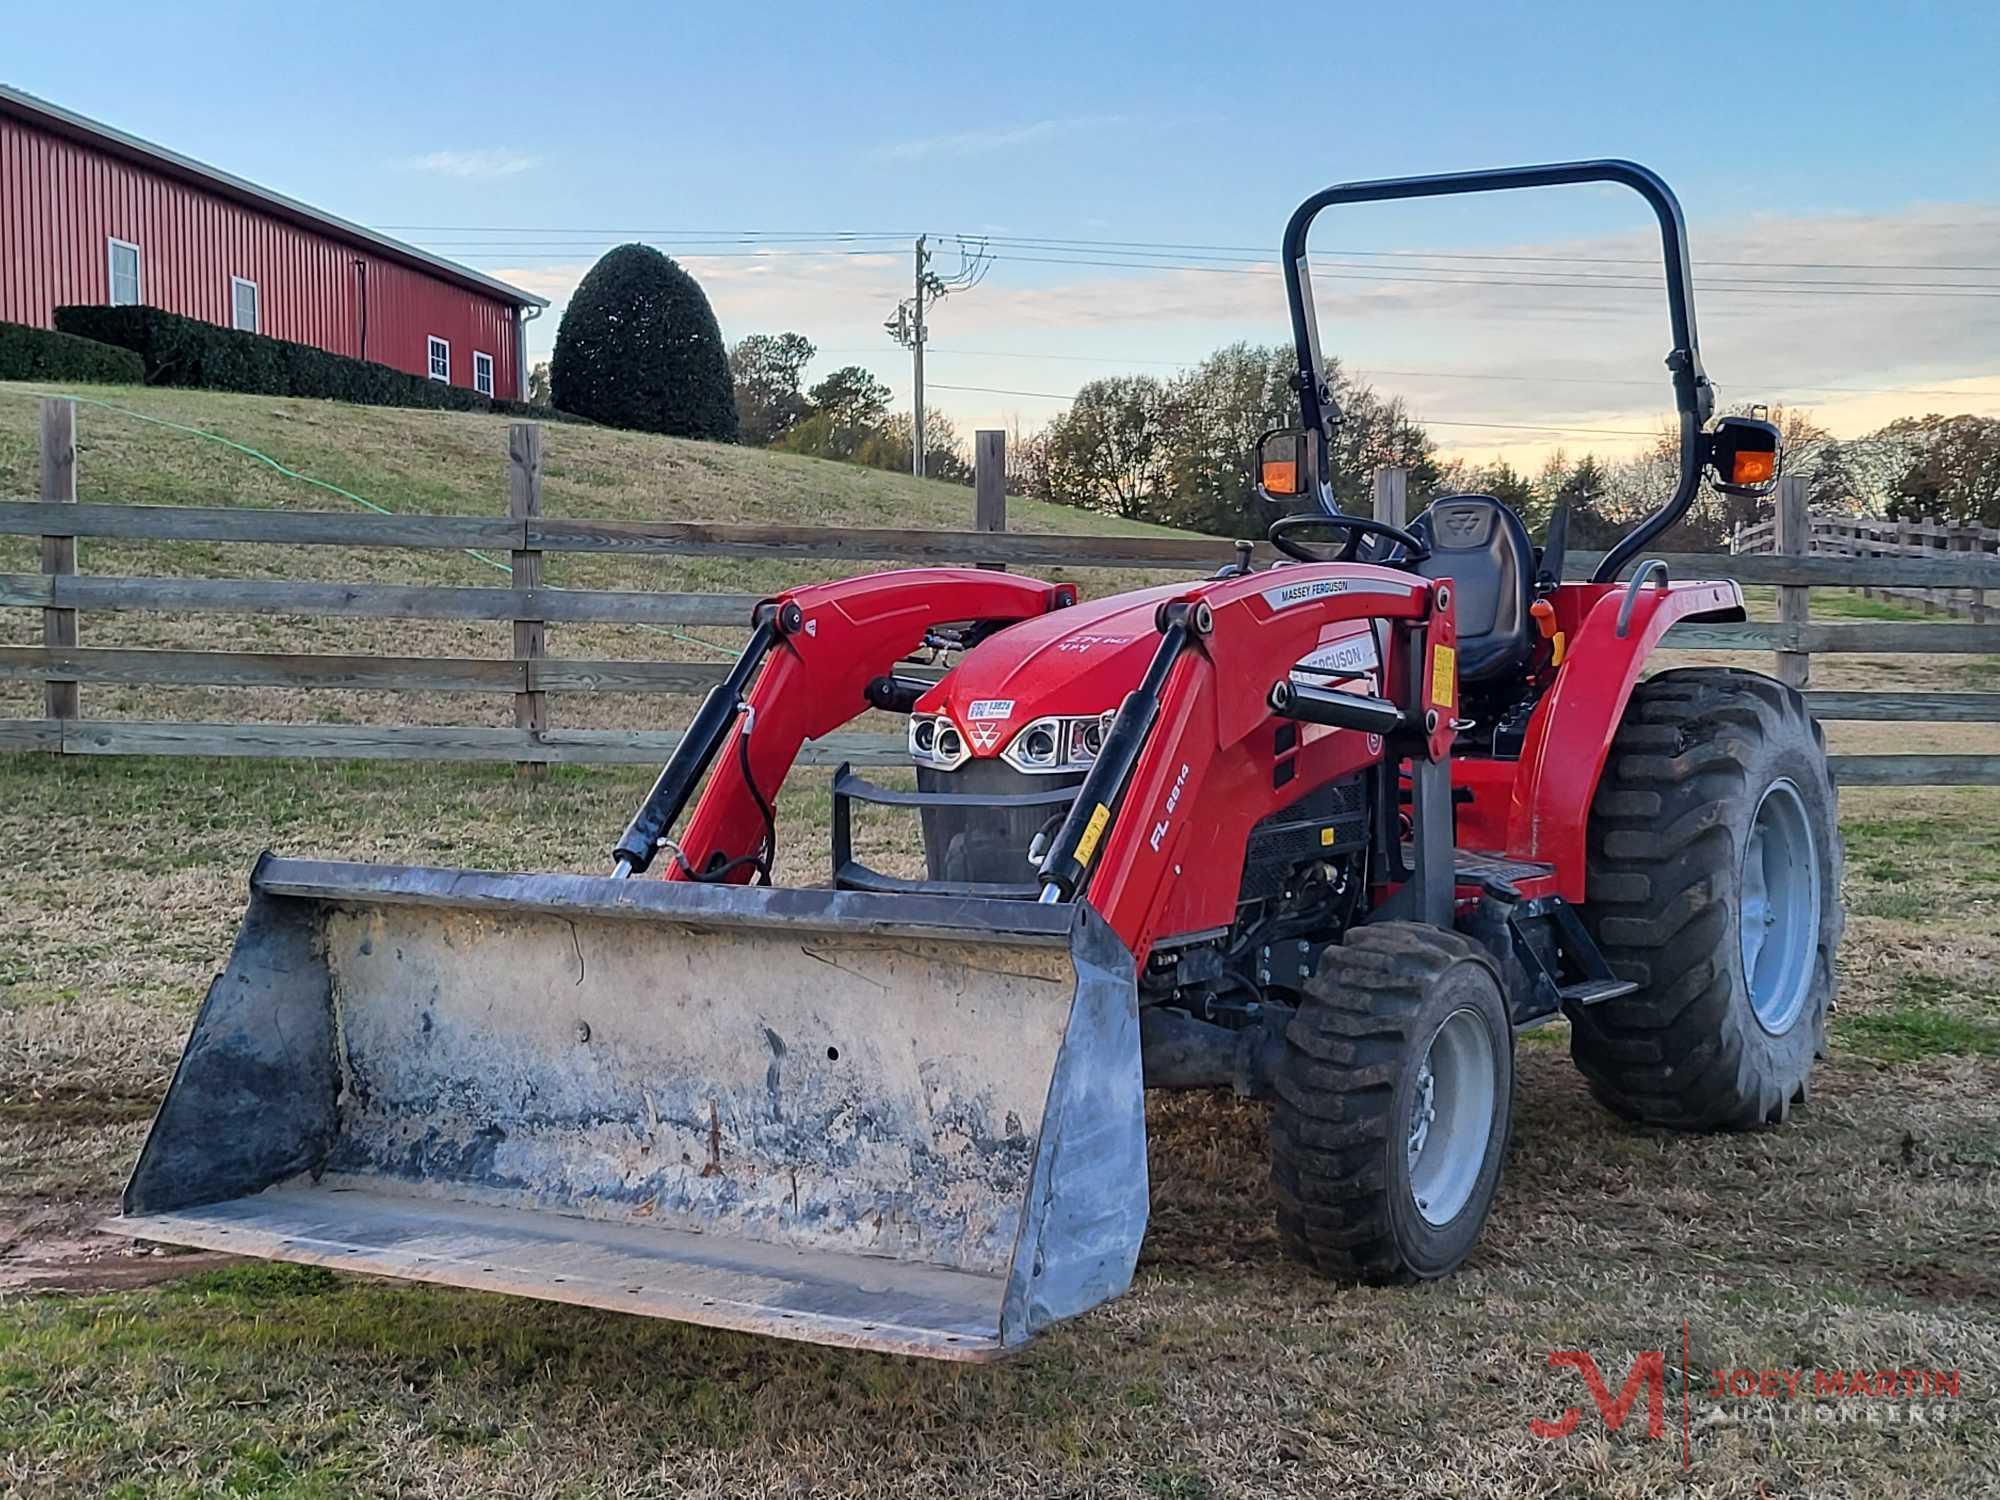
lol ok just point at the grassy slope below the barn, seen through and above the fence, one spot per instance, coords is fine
(145, 447)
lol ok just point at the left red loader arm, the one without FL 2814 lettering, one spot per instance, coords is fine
(831, 641)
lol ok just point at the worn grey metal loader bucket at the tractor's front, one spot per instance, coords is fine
(897, 1123)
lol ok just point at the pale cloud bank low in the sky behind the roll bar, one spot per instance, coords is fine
(1529, 353)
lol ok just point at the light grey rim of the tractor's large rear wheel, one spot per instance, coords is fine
(1779, 917)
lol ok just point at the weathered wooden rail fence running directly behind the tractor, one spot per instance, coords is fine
(65, 593)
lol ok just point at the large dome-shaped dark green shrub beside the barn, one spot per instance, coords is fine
(639, 349)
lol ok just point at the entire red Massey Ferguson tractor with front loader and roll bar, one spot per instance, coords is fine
(1327, 833)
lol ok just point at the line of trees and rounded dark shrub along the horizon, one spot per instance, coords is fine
(639, 347)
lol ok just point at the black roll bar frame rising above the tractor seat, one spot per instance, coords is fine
(1695, 399)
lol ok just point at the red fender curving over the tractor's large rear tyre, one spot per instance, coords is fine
(1573, 729)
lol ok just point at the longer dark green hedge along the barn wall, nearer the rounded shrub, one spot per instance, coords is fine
(191, 353)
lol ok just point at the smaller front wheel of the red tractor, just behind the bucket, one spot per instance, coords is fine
(1395, 1103)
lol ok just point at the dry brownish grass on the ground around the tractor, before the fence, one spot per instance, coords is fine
(1865, 1235)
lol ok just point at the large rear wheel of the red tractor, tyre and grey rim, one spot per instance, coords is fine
(1715, 885)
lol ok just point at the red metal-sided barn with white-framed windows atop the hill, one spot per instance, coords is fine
(93, 215)
